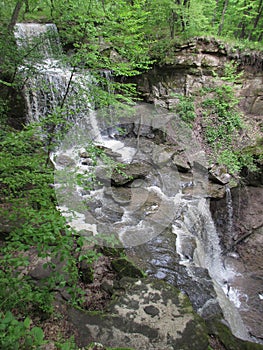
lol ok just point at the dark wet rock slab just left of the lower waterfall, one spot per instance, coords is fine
(160, 260)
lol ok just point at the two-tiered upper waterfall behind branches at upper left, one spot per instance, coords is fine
(51, 87)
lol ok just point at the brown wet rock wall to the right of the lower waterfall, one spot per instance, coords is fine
(243, 247)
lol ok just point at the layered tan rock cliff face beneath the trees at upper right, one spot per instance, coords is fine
(191, 67)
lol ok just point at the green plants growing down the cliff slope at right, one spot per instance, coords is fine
(223, 123)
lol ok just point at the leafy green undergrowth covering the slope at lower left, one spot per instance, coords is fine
(32, 229)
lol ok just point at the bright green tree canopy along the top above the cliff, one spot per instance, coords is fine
(117, 21)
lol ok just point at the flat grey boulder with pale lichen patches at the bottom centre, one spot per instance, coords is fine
(151, 315)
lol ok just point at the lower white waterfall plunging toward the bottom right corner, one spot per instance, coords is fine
(208, 255)
